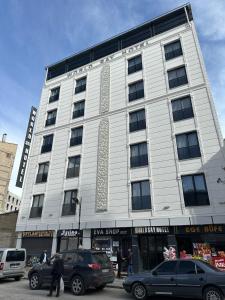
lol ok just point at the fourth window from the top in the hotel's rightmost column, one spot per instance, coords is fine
(187, 145)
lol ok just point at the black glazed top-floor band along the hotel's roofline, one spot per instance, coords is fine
(126, 39)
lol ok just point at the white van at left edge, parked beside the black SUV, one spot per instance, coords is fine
(12, 263)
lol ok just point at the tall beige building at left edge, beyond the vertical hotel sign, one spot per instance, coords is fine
(7, 156)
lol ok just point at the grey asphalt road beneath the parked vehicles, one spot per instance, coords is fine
(19, 290)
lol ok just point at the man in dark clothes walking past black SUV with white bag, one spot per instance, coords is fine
(57, 272)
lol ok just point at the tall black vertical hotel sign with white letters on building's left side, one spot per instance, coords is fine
(26, 148)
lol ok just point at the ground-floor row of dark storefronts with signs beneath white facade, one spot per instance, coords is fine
(148, 243)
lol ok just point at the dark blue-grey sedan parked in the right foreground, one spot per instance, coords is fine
(178, 278)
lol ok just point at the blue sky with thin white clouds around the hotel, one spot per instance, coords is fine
(37, 33)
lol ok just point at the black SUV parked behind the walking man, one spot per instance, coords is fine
(83, 269)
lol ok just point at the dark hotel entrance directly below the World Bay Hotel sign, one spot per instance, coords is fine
(151, 250)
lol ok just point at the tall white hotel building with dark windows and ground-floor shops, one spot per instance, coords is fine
(128, 127)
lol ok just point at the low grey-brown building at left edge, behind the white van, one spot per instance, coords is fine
(8, 230)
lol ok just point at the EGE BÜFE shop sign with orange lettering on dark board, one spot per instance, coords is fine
(220, 228)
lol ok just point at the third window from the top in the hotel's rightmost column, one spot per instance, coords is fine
(182, 108)
